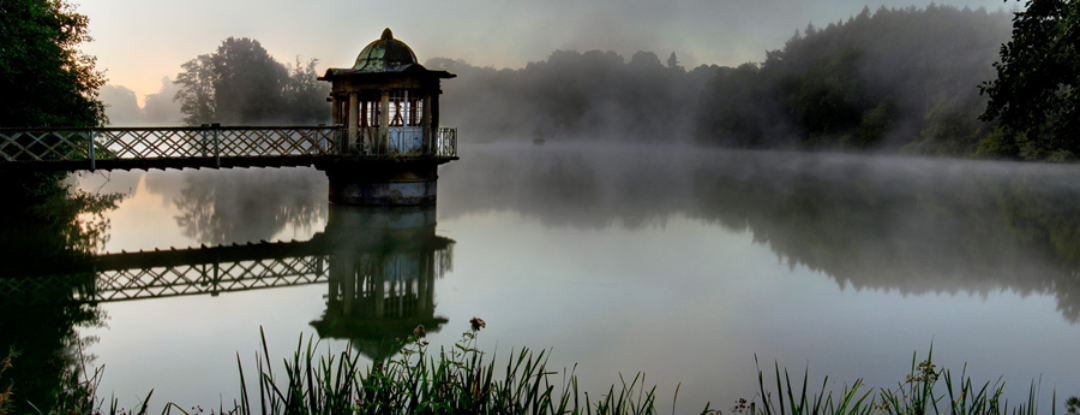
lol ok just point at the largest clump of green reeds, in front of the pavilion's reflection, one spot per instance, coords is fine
(461, 380)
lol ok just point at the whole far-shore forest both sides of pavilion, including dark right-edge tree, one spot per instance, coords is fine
(938, 81)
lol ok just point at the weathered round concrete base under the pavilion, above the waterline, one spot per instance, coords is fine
(384, 184)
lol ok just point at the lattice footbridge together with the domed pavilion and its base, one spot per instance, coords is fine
(384, 145)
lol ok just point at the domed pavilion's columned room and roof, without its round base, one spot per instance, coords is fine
(388, 101)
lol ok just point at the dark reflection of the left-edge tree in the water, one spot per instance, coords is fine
(63, 232)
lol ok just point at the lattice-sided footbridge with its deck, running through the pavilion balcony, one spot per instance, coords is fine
(72, 150)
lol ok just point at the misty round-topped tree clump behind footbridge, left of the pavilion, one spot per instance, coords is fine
(242, 85)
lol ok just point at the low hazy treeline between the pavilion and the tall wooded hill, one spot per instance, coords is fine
(593, 96)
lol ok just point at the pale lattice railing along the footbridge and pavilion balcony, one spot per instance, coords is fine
(207, 142)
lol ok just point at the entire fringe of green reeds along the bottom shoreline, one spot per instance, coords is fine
(463, 380)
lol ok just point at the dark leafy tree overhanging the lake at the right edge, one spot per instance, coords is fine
(1037, 91)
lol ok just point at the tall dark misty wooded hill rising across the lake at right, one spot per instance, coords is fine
(879, 81)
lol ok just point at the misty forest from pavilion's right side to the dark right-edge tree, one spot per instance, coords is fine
(894, 79)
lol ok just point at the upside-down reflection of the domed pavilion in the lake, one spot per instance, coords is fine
(383, 267)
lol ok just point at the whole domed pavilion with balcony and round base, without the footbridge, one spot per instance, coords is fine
(387, 106)
